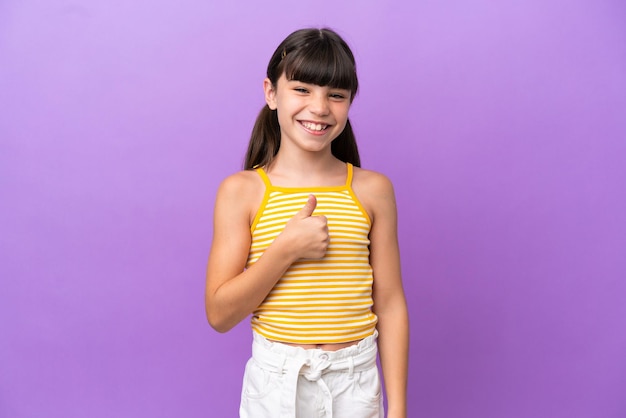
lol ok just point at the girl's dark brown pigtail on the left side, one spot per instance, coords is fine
(264, 140)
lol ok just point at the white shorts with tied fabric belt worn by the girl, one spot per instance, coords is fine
(282, 381)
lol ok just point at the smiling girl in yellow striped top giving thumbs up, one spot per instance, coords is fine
(306, 242)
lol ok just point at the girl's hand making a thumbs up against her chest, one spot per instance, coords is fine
(307, 234)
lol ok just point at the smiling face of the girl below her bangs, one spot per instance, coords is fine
(310, 116)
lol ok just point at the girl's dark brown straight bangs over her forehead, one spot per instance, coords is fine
(323, 64)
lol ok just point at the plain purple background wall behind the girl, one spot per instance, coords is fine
(502, 125)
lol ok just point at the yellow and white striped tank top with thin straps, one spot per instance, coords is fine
(317, 301)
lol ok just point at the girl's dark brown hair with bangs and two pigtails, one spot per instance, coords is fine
(315, 56)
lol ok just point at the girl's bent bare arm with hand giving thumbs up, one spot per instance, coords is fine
(232, 292)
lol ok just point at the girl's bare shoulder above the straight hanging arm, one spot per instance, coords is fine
(375, 192)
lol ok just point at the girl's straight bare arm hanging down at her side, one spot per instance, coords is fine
(389, 300)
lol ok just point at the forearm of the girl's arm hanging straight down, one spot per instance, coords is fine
(393, 342)
